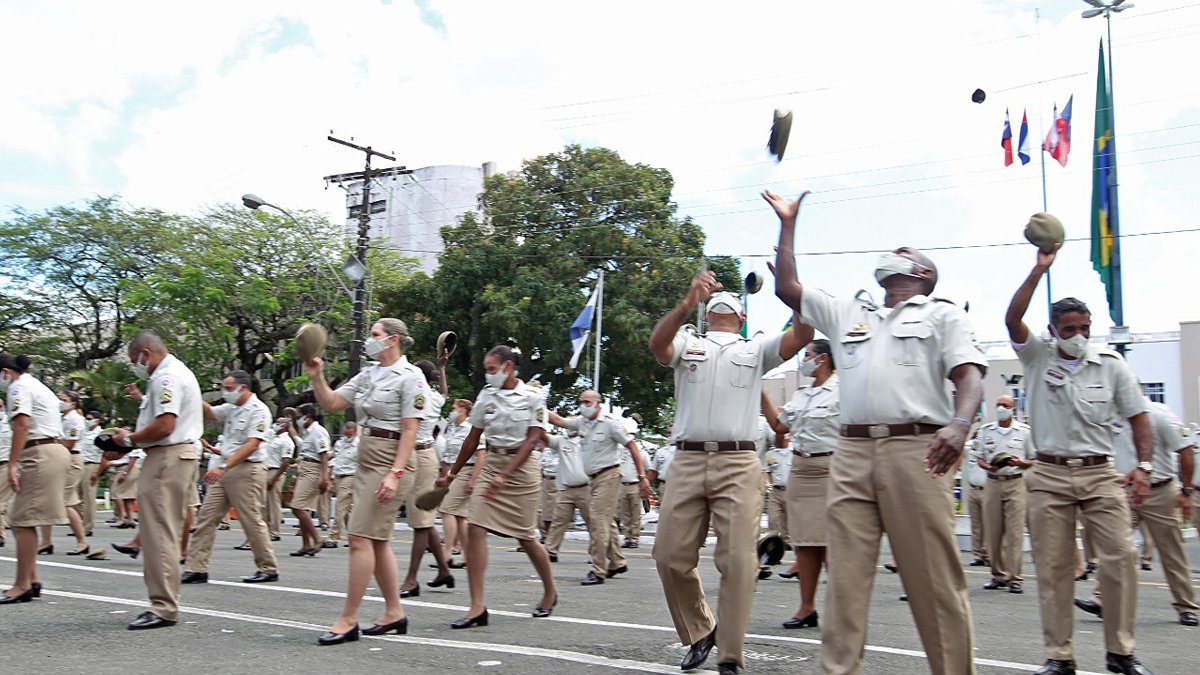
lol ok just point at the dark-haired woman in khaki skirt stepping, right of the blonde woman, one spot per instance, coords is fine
(506, 501)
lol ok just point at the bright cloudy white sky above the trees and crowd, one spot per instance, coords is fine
(178, 106)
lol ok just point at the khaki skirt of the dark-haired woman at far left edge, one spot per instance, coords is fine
(44, 475)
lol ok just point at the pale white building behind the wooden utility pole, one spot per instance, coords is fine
(410, 208)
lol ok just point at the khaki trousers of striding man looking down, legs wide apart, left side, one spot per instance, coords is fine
(244, 488)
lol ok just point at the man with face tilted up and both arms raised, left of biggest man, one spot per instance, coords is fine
(716, 474)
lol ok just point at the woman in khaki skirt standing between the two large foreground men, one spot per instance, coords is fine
(812, 417)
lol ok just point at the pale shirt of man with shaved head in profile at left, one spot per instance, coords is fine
(172, 390)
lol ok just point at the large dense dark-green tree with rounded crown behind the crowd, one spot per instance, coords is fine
(523, 272)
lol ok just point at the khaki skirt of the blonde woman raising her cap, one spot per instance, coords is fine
(369, 518)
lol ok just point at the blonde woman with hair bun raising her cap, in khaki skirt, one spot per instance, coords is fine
(388, 401)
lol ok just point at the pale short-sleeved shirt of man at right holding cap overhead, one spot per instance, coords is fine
(1073, 413)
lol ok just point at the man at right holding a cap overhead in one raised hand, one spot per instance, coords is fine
(1076, 392)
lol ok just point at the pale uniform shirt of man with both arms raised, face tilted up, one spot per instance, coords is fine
(718, 381)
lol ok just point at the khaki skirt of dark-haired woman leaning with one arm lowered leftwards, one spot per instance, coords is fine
(514, 512)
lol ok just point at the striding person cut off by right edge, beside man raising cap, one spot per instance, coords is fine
(1160, 515)
